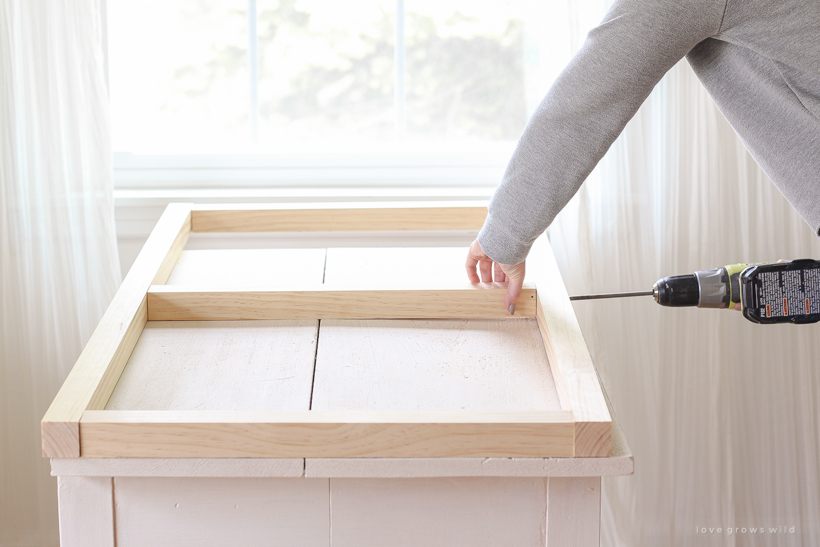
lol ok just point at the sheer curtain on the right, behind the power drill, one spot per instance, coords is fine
(723, 416)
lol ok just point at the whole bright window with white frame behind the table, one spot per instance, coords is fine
(210, 93)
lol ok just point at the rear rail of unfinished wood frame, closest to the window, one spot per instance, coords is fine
(334, 217)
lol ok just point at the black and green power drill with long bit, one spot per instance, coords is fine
(782, 292)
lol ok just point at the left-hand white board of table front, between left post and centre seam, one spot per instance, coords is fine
(153, 512)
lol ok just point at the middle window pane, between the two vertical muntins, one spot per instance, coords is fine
(326, 71)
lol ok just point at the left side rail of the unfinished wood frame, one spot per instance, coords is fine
(90, 382)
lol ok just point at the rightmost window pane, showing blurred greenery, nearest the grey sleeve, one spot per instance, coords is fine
(465, 70)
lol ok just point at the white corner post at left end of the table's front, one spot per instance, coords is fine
(86, 511)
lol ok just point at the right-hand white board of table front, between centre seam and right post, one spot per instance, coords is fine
(438, 512)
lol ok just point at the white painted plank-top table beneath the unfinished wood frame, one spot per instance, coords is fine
(480, 364)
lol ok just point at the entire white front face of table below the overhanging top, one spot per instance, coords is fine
(450, 512)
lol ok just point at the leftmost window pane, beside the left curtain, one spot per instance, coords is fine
(178, 75)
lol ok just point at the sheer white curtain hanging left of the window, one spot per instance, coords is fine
(58, 255)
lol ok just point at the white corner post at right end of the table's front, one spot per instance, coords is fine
(574, 512)
